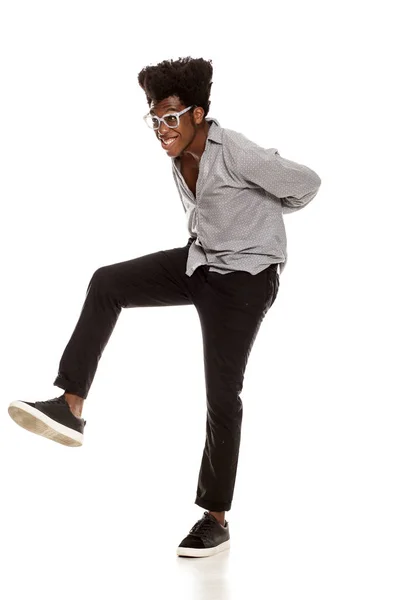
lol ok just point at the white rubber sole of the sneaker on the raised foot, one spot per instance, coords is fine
(35, 421)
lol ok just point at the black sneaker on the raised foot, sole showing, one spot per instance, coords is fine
(52, 419)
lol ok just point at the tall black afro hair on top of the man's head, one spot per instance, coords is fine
(188, 78)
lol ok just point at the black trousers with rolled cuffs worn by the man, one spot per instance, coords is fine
(230, 306)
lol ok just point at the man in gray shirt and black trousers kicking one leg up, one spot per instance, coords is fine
(233, 193)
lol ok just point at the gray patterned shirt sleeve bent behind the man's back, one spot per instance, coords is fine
(294, 184)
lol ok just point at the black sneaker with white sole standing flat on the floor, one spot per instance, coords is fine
(207, 537)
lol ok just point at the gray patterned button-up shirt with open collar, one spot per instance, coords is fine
(242, 191)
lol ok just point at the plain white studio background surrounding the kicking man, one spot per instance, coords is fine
(84, 184)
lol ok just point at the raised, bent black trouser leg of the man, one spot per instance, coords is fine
(156, 279)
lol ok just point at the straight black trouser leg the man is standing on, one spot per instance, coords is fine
(231, 309)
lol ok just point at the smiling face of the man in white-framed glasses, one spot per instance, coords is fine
(184, 134)
